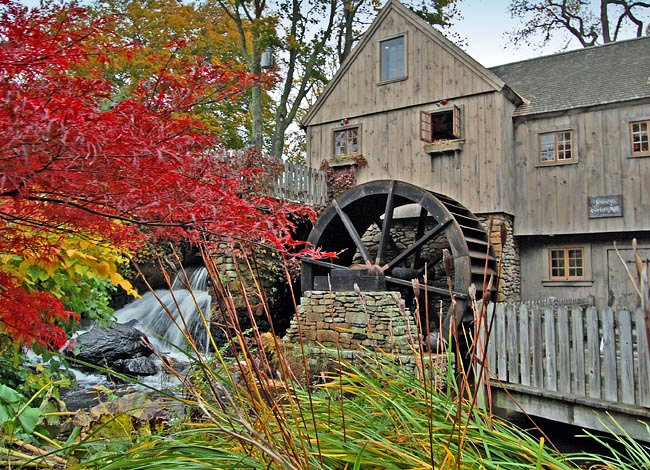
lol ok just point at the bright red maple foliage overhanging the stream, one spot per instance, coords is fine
(75, 159)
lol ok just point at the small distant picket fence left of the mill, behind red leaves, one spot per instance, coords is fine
(301, 184)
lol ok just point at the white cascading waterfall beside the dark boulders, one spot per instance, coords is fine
(165, 331)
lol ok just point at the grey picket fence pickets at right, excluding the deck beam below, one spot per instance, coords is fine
(601, 355)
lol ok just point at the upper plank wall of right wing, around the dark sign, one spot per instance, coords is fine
(553, 199)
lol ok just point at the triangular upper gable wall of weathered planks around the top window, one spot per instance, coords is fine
(435, 70)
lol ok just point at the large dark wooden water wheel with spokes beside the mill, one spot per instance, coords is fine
(367, 227)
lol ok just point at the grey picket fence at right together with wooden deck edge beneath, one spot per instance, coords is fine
(571, 364)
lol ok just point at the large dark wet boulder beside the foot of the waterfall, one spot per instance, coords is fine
(103, 346)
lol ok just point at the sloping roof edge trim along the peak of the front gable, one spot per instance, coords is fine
(394, 6)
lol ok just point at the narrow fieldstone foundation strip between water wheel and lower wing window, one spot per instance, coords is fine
(510, 281)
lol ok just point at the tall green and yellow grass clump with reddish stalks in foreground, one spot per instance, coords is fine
(267, 407)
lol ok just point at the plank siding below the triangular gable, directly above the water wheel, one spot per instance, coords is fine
(391, 145)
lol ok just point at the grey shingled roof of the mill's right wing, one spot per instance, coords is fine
(610, 73)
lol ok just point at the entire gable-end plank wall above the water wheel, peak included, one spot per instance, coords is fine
(480, 175)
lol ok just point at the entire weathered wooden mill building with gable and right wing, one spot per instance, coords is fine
(557, 148)
